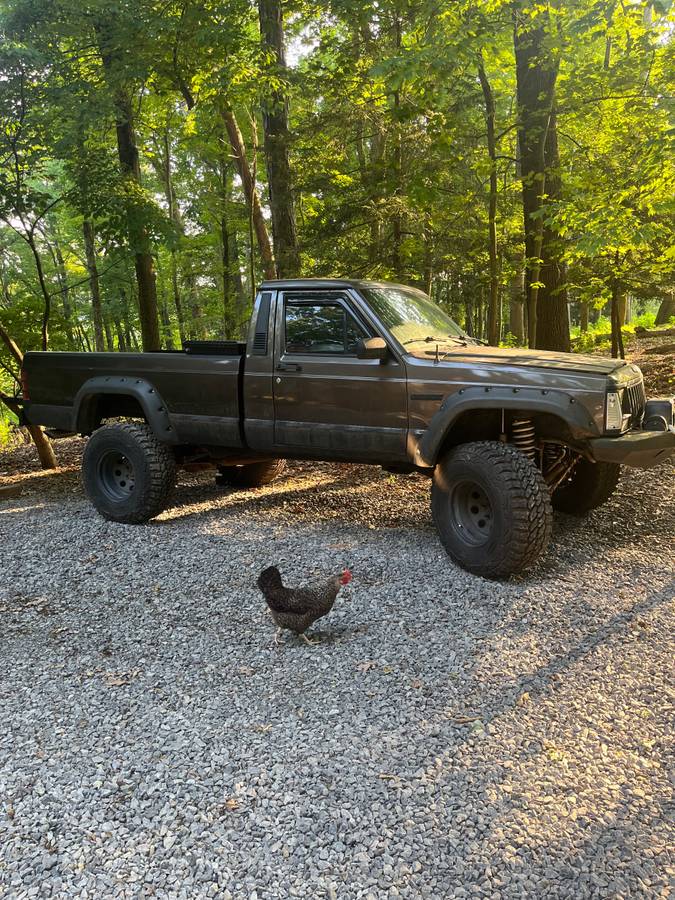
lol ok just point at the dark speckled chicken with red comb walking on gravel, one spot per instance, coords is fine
(296, 608)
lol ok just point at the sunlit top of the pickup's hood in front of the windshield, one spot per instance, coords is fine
(539, 359)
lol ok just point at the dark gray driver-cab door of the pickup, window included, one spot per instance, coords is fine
(328, 402)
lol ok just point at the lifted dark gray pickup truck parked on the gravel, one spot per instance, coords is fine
(362, 372)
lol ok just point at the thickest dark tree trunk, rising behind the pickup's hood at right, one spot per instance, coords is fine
(536, 73)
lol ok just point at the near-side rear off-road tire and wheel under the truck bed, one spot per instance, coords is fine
(152, 466)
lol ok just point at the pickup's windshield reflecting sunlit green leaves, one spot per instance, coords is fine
(410, 315)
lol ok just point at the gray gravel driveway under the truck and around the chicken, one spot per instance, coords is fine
(450, 736)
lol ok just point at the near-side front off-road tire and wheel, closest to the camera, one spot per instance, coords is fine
(515, 506)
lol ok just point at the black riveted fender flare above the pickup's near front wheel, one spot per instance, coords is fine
(529, 400)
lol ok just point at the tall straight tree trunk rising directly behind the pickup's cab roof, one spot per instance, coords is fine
(276, 138)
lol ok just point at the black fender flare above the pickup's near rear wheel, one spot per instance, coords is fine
(149, 399)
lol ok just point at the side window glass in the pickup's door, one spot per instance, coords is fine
(320, 328)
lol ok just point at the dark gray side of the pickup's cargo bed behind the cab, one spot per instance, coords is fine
(200, 386)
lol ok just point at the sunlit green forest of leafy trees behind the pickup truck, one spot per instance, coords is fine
(158, 159)
